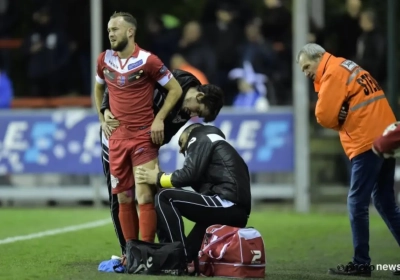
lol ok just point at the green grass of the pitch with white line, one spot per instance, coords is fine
(297, 246)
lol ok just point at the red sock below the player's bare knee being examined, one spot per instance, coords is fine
(147, 222)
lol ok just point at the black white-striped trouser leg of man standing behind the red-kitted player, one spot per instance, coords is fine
(113, 199)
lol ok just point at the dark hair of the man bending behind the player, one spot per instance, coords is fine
(213, 99)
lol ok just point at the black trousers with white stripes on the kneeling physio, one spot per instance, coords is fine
(173, 204)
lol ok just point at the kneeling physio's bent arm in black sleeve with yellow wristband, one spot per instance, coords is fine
(196, 163)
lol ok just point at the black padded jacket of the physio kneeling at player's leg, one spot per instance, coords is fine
(213, 166)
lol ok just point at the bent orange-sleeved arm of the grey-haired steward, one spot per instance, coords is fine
(331, 97)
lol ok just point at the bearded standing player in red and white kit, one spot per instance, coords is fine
(130, 74)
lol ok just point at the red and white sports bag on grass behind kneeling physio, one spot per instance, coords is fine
(232, 252)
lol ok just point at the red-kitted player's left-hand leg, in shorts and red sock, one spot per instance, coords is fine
(121, 184)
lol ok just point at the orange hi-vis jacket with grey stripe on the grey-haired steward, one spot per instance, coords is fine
(339, 80)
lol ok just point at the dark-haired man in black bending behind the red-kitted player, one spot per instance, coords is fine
(204, 101)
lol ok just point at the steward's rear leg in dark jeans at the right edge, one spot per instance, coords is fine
(384, 198)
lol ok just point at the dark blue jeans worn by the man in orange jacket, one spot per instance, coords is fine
(371, 176)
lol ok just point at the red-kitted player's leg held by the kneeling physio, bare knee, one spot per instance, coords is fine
(147, 214)
